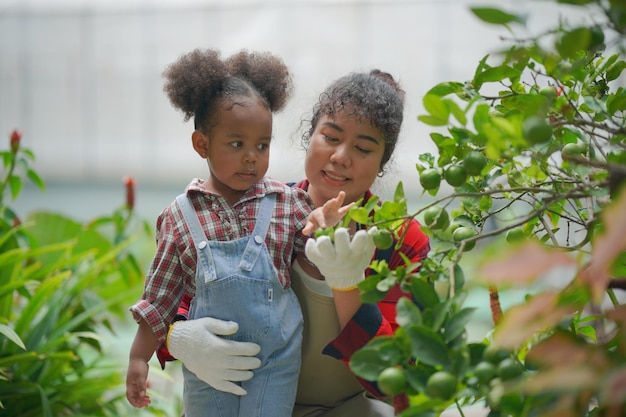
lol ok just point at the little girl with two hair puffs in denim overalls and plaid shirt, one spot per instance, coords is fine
(229, 240)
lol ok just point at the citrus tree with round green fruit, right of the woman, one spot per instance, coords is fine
(530, 168)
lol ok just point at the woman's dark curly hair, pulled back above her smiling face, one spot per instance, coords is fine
(374, 97)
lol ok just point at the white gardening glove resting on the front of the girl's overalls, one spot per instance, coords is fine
(215, 360)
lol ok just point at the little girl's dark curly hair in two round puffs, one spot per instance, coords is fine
(200, 79)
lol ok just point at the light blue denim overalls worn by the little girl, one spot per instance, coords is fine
(236, 280)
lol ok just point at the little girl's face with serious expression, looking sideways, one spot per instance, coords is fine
(237, 147)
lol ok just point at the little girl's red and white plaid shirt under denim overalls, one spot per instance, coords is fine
(172, 272)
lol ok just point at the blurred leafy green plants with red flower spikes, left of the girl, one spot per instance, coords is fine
(62, 283)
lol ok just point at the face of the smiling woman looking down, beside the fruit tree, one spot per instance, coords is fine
(344, 155)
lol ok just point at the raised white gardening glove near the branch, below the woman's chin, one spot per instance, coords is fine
(342, 263)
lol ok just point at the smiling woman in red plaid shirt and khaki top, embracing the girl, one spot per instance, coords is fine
(353, 133)
